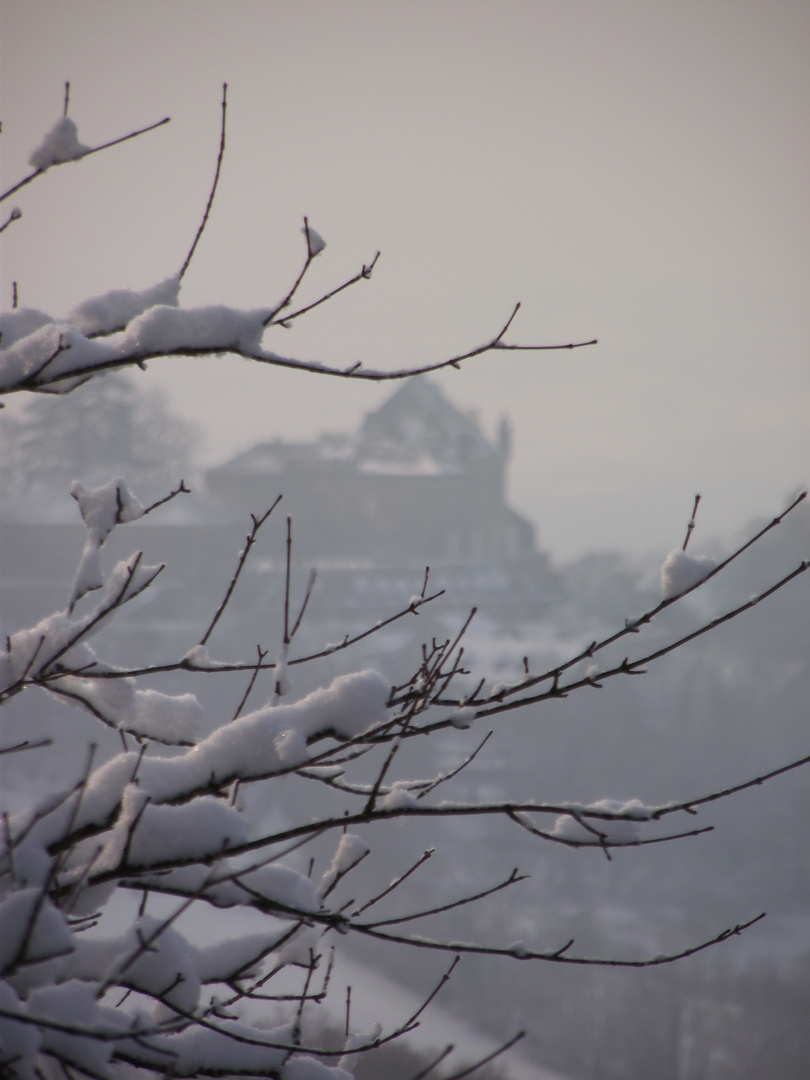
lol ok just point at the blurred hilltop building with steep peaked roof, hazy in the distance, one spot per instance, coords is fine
(418, 484)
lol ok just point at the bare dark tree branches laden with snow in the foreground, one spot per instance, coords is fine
(165, 820)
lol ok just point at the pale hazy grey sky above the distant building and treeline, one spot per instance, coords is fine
(629, 170)
